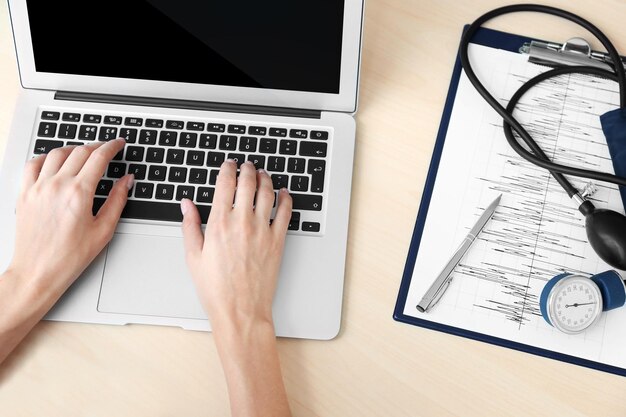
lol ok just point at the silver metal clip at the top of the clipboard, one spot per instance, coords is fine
(575, 51)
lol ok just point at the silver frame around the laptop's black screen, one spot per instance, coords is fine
(344, 101)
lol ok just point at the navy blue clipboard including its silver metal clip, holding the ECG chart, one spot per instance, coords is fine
(546, 53)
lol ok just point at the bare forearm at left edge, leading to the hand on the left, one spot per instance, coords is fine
(22, 305)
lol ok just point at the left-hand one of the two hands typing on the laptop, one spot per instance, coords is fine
(57, 235)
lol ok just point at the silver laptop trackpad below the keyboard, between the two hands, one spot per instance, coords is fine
(147, 275)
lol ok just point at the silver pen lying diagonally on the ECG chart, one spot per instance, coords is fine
(442, 282)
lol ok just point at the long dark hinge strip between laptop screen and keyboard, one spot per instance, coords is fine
(187, 104)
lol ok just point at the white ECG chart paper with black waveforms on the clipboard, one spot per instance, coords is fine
(537, 231)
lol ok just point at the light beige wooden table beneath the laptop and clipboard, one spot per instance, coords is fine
(376, 366)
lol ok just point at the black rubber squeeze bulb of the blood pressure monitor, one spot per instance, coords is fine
(606, 232)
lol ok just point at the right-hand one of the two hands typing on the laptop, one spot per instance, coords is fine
(235, 263)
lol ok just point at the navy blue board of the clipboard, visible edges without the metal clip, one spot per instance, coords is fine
(508, 42)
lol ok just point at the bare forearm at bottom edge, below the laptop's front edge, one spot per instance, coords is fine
(252, 368)
